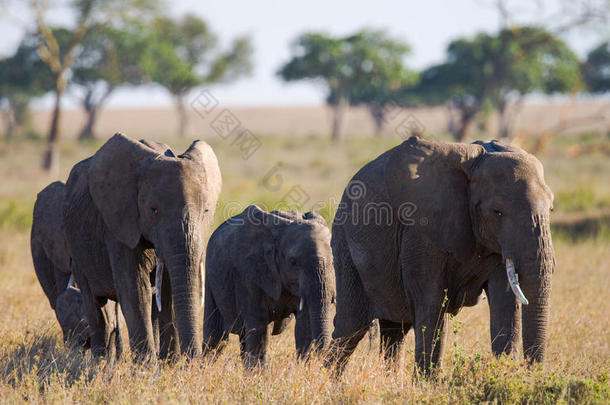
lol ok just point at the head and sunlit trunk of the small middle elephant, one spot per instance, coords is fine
(296, 257)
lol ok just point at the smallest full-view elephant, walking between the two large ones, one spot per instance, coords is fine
(259, 267)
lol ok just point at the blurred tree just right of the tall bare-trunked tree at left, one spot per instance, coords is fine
(110, 57)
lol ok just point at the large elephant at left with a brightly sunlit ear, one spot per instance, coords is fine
(124, 203)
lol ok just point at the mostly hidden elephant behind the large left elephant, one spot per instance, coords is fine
(52, 265)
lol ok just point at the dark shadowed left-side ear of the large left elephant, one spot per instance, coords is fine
(113, 178)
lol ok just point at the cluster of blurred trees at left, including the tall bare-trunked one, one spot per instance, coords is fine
(113, 43)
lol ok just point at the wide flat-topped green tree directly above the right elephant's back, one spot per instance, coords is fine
(489, 71)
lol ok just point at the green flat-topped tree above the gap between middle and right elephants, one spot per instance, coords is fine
(363, 68)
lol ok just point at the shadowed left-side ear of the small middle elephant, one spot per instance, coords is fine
(254, 253)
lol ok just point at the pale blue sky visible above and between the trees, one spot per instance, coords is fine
(428, 26)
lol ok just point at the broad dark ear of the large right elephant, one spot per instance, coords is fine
(427, 184)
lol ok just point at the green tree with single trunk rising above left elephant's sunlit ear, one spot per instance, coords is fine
(184, 54)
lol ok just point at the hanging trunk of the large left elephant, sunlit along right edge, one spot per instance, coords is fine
(185, 285)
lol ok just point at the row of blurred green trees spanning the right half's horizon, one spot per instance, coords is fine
(480, 75)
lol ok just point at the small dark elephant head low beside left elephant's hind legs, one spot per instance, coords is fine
(69, 312)
